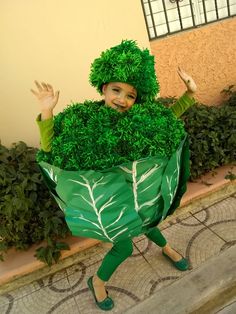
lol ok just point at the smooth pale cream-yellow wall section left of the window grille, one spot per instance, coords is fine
(55, 41)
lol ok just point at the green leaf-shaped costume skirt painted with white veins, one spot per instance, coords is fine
(123, 201)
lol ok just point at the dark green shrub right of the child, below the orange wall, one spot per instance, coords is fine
(212, 134)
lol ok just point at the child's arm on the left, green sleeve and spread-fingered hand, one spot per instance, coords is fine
(47, 100)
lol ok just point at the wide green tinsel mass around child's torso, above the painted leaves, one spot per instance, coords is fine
(93, 136)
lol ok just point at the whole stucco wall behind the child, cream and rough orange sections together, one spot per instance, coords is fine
(56, 41)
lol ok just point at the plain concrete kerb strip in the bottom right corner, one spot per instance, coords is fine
(211, 288)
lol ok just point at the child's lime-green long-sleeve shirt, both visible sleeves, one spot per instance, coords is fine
(47, 132)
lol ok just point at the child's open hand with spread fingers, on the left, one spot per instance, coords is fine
(46, 96)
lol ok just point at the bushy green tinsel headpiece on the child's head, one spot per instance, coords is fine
(126, 63)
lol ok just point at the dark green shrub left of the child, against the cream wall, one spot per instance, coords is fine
(28, 214)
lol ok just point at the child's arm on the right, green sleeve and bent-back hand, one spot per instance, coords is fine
(187, 100)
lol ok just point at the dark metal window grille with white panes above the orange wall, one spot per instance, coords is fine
(165, 17)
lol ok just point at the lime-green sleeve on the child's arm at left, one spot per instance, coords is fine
(46, 133)
